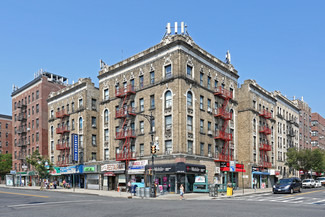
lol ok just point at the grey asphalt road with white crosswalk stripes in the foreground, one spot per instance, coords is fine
(15, 202)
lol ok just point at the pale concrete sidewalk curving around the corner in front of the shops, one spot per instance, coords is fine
(189, 196)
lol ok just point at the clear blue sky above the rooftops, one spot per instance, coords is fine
(280, 44)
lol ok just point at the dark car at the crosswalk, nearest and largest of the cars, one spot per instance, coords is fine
(288, 185)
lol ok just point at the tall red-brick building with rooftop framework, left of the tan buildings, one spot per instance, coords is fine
(30, 122)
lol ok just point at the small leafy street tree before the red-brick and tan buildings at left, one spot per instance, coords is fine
(39, 163)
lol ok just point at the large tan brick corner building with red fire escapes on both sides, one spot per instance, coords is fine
(192, 97)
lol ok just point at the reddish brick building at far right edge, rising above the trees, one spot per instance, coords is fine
(317, 131)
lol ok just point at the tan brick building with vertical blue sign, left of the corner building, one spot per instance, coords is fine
(73, 111)
